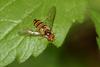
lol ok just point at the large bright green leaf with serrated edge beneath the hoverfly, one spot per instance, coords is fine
(17, 15)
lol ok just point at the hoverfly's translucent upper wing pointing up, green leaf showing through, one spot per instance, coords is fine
(50, 17)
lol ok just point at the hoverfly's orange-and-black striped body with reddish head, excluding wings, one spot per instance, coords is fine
(44, 30)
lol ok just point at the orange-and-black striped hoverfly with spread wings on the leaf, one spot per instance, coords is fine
(44, 29)
